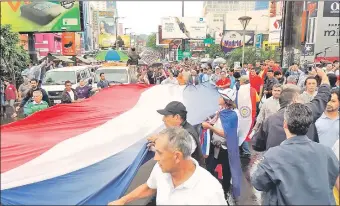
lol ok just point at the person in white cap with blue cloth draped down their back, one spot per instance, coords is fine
(224, 147)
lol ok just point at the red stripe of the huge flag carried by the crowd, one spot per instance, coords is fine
(25, 140)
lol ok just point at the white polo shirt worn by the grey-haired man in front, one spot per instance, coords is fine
(200, 189)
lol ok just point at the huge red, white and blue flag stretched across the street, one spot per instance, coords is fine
(87, 153)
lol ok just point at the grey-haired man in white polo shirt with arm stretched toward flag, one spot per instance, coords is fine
(176, 177)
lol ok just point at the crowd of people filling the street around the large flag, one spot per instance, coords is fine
(295, 123)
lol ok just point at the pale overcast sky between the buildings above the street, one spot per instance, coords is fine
(144, 16)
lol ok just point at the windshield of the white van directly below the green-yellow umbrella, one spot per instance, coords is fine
(113, 75)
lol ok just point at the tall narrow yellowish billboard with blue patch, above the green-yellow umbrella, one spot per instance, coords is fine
(107, 32)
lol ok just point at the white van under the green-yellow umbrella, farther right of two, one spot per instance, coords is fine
(115, 75)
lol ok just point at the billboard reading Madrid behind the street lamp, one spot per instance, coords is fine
(233, 39)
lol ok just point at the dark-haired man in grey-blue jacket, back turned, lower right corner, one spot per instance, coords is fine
(298, 171)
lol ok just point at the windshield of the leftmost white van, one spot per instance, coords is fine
(59, 77)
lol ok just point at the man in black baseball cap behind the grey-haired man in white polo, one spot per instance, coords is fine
(175, 115)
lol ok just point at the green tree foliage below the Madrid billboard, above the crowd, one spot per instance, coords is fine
(251, 55)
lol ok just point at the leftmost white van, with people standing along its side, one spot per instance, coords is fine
(54, 80)
